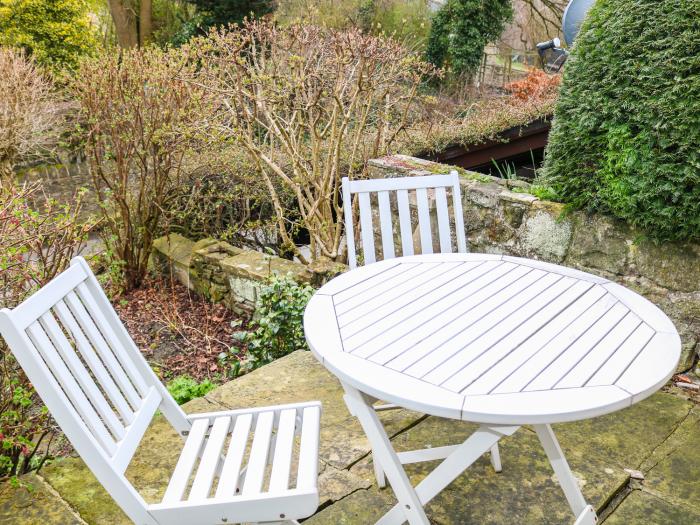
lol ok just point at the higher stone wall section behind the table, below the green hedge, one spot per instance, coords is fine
(500, 220)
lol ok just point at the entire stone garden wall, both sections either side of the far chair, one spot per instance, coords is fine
(500, 217)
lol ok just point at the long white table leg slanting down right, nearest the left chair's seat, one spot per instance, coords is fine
(410, 508)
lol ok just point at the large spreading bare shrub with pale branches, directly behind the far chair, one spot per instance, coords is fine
(310, 105)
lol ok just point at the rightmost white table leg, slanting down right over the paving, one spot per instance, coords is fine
(584, 513)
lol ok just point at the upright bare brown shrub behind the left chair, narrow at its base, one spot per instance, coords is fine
(142, 112)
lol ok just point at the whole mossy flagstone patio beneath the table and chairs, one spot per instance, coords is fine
(659, 437)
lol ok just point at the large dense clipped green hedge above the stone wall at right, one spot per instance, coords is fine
(626, 132)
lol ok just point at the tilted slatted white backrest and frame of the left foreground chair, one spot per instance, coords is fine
(91, 376)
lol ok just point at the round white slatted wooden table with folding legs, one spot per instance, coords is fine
(496, 340)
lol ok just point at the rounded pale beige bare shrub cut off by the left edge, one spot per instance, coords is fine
(30, 117)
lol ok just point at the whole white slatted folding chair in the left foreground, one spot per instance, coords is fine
(252, 465)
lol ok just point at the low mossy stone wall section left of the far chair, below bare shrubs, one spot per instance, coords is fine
(224, 273)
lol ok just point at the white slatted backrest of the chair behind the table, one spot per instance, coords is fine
(426, 189)
